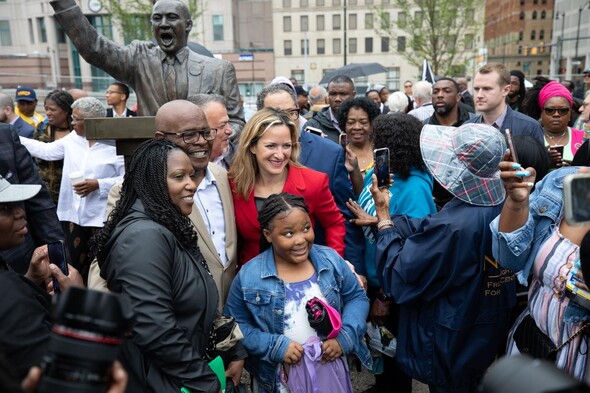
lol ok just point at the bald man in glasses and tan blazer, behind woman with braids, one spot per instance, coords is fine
(213, 211)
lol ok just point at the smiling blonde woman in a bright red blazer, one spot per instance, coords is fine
(265, 164)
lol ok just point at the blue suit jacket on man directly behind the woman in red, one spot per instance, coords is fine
(325, 156)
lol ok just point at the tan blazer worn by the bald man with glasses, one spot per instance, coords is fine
(223, 276)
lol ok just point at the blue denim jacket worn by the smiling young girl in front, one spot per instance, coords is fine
(257, 299)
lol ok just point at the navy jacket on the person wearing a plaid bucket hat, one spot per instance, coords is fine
(454, 298)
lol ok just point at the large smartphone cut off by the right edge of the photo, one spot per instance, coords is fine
(576, 198)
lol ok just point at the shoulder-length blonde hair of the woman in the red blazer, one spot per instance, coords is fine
(244, 167)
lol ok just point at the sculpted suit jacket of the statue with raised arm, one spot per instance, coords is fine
(139, 65)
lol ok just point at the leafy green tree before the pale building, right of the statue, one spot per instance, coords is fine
(440, 31)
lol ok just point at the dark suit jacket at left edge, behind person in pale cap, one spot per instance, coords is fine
(17, 166)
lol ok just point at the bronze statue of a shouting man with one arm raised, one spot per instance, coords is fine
(158, 73)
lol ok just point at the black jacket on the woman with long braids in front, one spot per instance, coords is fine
(175, 302)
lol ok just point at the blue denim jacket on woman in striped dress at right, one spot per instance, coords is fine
(517, 250)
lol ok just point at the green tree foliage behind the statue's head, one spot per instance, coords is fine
(132, 17)
